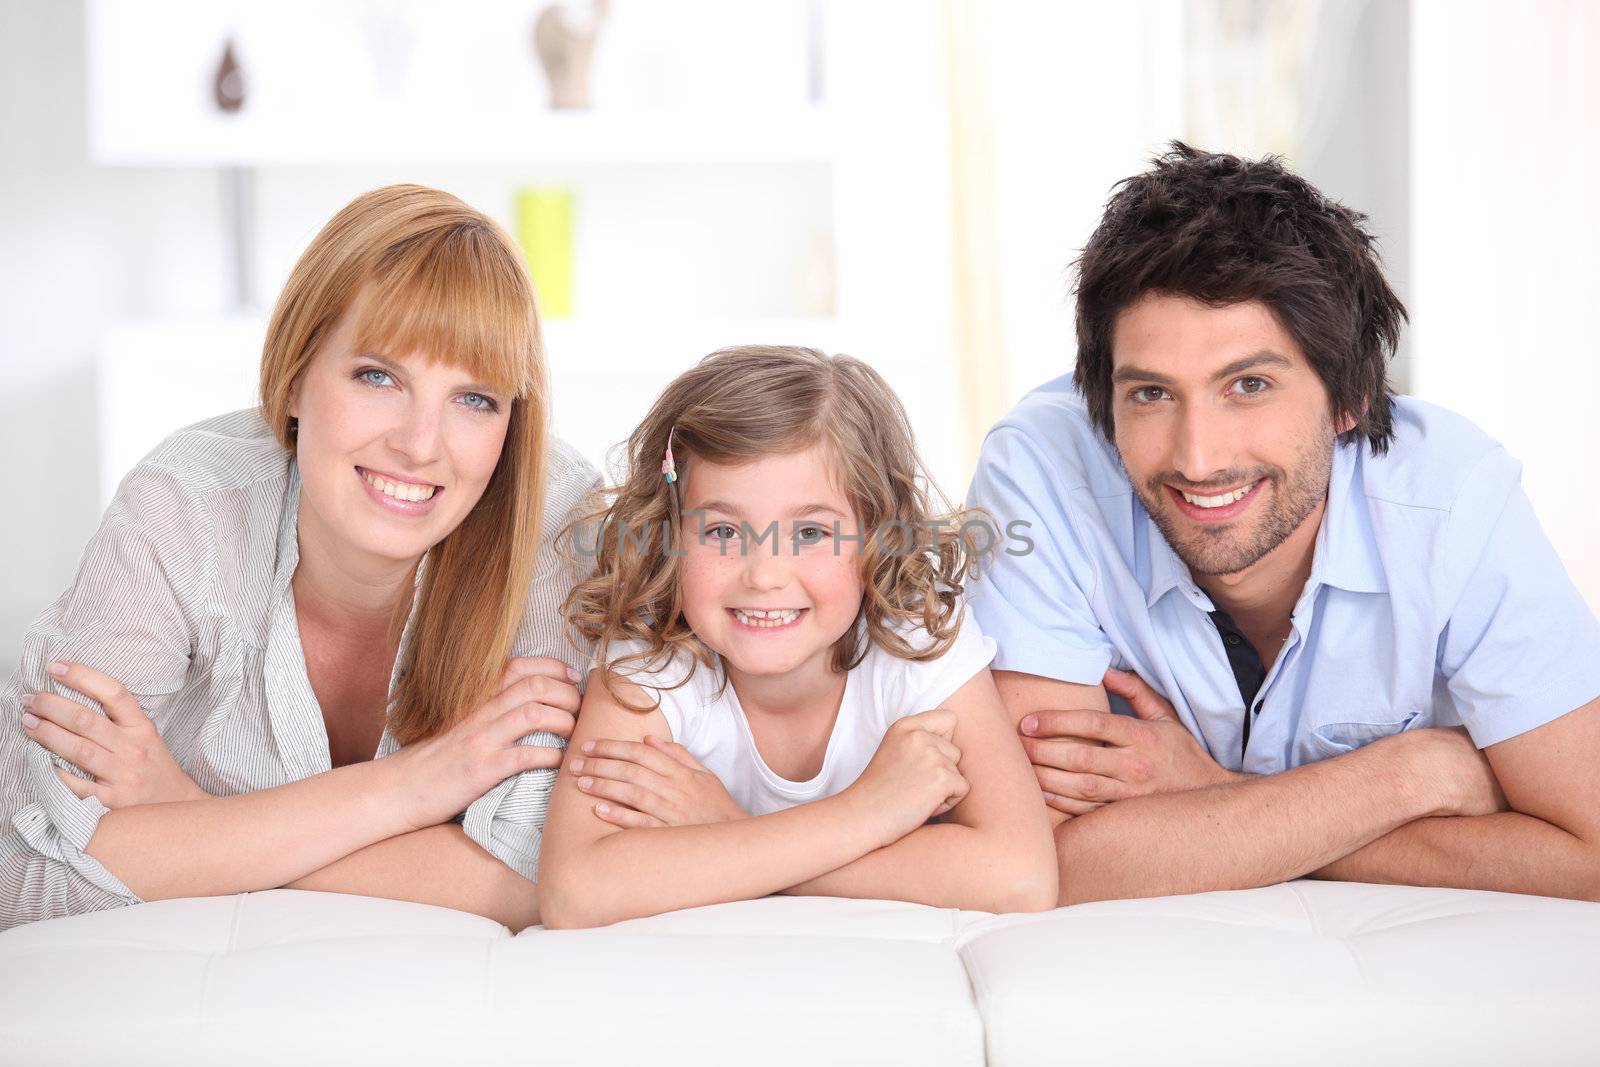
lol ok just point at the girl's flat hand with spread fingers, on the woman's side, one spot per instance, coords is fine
(657, 783)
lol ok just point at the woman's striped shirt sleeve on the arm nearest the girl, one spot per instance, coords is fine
(510, 821)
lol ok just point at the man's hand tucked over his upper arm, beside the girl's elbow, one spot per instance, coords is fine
(1086, 759)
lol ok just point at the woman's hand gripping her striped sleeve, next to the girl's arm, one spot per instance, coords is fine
(441, 777)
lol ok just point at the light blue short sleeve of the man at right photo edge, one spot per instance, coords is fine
(1521, 647)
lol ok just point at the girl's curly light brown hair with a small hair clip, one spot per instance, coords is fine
(740, 406)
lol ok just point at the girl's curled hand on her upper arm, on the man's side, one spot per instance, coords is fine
(914, 775)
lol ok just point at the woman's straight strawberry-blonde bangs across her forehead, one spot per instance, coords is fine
(455, 302)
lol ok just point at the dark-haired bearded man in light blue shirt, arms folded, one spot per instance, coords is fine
(1350, 649)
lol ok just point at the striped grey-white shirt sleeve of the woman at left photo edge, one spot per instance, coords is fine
(124, 615)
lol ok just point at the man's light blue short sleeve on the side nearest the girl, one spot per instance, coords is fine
(1034, 593)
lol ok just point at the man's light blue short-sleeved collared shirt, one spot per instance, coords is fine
(1434, 596)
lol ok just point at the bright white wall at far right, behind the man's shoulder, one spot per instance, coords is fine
(1506, 244)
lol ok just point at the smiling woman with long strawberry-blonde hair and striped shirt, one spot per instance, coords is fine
(361, 569)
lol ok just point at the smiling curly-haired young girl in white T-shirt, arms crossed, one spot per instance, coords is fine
(790, 690)
